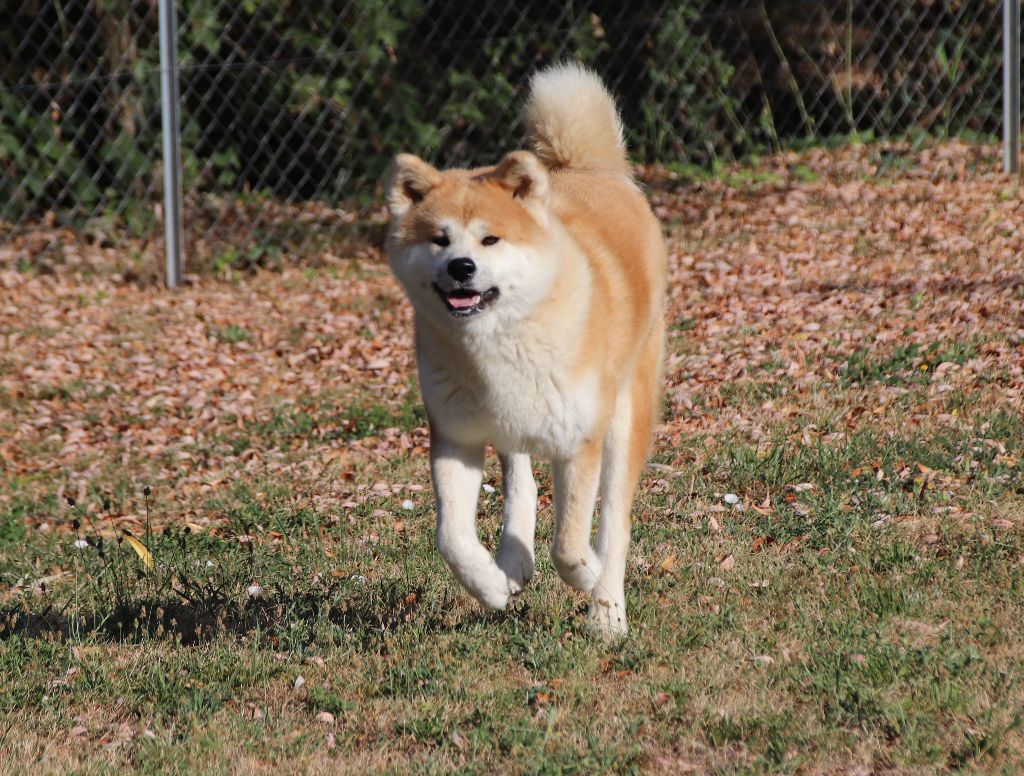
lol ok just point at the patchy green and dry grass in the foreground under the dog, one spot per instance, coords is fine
(869, 609)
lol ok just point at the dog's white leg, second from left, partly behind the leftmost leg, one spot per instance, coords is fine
(516, 556)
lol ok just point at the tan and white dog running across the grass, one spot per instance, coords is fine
(538, 288)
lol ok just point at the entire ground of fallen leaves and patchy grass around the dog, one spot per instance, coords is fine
(846, 359)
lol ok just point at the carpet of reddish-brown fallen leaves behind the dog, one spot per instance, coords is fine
(783, 279)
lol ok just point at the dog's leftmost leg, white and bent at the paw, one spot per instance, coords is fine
(458, 471)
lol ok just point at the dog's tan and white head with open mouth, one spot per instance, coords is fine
(473, 248)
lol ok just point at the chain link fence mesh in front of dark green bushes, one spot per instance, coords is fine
(291, 111)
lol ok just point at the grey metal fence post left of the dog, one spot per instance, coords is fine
(170, 100)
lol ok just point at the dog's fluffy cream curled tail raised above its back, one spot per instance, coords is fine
(573, 121)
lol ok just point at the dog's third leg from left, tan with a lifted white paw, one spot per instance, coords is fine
(576, 483)
